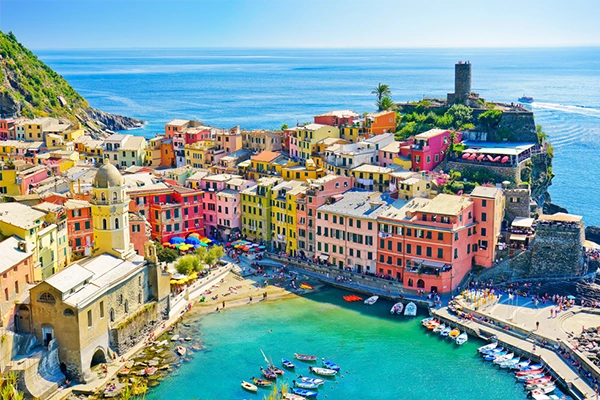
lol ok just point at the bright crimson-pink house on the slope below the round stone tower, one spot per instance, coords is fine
(430, 148)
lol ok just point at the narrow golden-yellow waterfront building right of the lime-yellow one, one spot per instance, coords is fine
(283, 215)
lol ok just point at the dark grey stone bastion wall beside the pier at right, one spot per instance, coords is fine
(557, 250)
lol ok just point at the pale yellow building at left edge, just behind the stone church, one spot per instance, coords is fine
(30, 226)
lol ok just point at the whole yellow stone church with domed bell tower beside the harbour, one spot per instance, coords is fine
(100, 307)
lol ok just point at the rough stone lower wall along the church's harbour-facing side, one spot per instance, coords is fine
(135, 328)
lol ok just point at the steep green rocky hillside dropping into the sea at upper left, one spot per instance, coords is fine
(29, 88)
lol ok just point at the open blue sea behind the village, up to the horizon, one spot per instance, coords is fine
(265, 88)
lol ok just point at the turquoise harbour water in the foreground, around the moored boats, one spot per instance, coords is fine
(382, 356)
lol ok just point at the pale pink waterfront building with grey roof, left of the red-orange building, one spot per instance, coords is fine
(347, 230)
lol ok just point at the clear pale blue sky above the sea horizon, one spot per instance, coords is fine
(81, 24)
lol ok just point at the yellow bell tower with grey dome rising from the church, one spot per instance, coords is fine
(110, 213)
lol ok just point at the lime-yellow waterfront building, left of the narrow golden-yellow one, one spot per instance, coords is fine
(256, 210)
